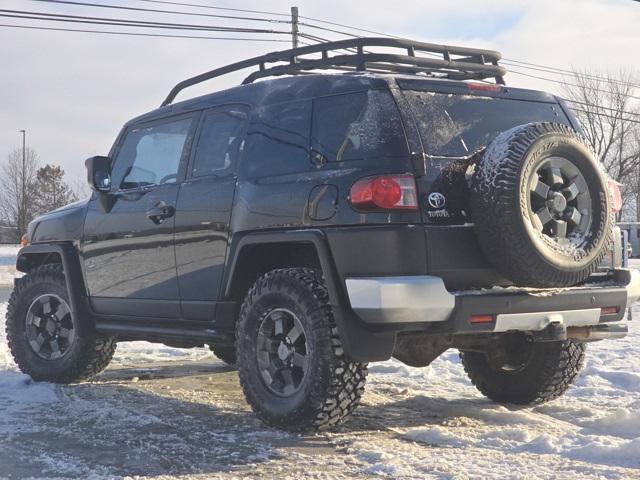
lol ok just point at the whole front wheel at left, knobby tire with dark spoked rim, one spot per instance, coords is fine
(47, 342)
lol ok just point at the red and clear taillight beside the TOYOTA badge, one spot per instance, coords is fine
(386, 192)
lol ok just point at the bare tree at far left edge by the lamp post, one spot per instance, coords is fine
(17, 190)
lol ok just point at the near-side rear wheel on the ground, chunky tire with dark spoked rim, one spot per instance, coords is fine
(291, 363)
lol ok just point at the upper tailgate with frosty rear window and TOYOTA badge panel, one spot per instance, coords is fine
(457, 121)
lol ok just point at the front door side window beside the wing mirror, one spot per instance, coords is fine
(151, 155)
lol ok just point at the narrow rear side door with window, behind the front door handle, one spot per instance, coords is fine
(204, 210)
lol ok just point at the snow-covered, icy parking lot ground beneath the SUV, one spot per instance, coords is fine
(166, 413)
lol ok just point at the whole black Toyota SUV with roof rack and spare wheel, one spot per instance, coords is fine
(305, 225)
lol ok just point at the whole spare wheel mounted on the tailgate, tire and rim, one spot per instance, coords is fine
(541, 206)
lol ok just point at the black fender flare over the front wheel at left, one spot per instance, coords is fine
(32, 256)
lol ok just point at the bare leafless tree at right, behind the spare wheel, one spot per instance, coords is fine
(605, 107)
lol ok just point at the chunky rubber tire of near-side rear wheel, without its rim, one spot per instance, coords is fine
(332, 387)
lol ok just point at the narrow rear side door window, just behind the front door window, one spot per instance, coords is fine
(219, 142)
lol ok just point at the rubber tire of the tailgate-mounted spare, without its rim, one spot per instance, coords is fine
(503, 218)
